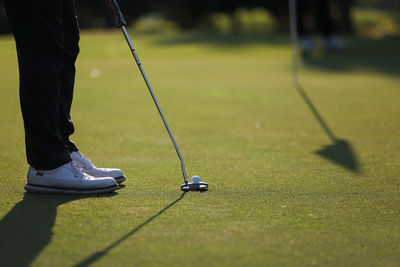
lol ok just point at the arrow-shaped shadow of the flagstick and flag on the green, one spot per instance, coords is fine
(341, 151)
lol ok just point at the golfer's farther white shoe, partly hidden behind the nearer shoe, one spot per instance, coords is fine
(87, 166)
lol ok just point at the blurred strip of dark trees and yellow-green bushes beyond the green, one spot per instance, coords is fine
(369, 18)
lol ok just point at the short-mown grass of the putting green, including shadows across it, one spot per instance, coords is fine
(241, 125)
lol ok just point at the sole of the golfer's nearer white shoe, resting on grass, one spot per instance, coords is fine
(54, 190)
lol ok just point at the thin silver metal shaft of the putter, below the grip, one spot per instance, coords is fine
(128, 40)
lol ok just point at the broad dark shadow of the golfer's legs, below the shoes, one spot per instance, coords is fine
(27, 229)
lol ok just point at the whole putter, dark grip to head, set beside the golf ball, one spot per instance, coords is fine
(195, 183)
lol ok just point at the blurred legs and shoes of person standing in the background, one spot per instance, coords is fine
(322, 20)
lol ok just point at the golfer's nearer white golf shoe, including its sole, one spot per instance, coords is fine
(67, 179)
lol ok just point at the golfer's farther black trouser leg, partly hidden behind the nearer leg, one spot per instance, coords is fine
(71, 50)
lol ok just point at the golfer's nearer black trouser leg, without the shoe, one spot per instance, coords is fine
(39, 32)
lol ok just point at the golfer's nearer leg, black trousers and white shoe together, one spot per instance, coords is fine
(39, 28)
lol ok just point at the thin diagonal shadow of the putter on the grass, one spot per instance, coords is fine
(96, 256)
